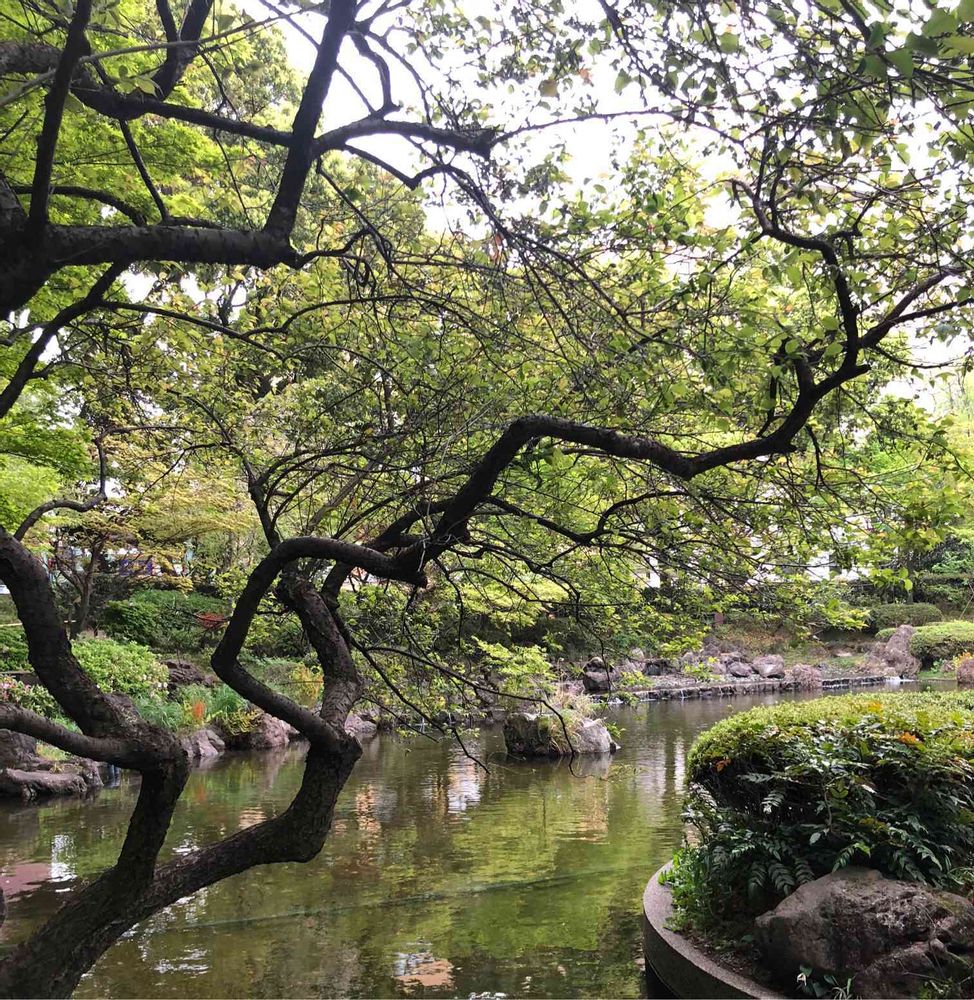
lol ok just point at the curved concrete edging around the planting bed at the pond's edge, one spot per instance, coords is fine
(683, 968)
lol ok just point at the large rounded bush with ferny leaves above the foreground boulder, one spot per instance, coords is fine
(781, 795)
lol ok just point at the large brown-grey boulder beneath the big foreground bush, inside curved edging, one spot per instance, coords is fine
(889, 937)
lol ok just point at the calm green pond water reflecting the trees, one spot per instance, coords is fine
(438, 879)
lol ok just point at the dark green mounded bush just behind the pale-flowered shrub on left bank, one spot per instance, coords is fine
(165, 620)
